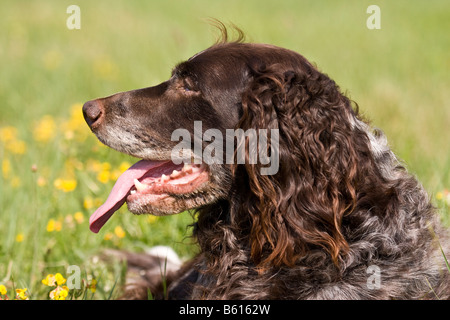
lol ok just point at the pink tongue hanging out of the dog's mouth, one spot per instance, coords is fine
(119, 193)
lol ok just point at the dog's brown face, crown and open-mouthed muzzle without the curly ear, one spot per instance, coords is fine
(203, 97)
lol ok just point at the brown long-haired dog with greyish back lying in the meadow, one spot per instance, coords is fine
(339, 217)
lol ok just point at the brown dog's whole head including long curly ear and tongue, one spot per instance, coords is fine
(186, 130)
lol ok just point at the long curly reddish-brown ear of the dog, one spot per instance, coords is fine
(301, 207)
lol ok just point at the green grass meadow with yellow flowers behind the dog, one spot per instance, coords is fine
(54, 172)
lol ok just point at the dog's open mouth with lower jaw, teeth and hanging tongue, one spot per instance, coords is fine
(152, 187)
